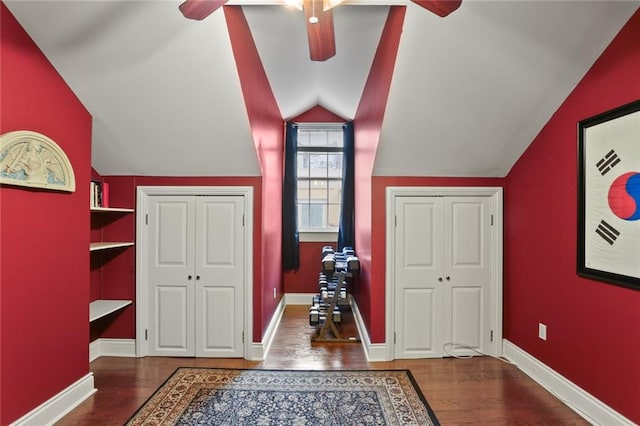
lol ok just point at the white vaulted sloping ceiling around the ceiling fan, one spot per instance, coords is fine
(469, 92)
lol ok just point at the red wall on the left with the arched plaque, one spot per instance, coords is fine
(44, 279)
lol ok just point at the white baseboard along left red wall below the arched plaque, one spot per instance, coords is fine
(59, 405)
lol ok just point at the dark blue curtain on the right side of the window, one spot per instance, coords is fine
(346, 231)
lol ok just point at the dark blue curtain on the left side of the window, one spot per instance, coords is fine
(290, 251)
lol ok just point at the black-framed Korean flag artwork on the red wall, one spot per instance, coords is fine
(609, 196)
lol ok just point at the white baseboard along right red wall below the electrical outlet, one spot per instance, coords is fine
(586, 405)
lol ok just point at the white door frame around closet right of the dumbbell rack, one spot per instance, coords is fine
(495, 348)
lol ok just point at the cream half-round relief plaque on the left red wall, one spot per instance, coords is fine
(34, 160)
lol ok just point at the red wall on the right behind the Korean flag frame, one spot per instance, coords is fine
(593, 327)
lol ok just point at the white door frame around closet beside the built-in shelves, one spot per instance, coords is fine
(142, 204)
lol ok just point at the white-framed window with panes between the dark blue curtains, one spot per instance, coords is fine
(319, 176)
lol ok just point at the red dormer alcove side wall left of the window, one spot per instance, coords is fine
(267, 128)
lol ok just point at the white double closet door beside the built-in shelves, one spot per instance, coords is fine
(195, 276)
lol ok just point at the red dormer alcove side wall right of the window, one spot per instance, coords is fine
(367, 125)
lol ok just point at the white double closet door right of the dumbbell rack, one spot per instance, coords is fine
(443, 272)
